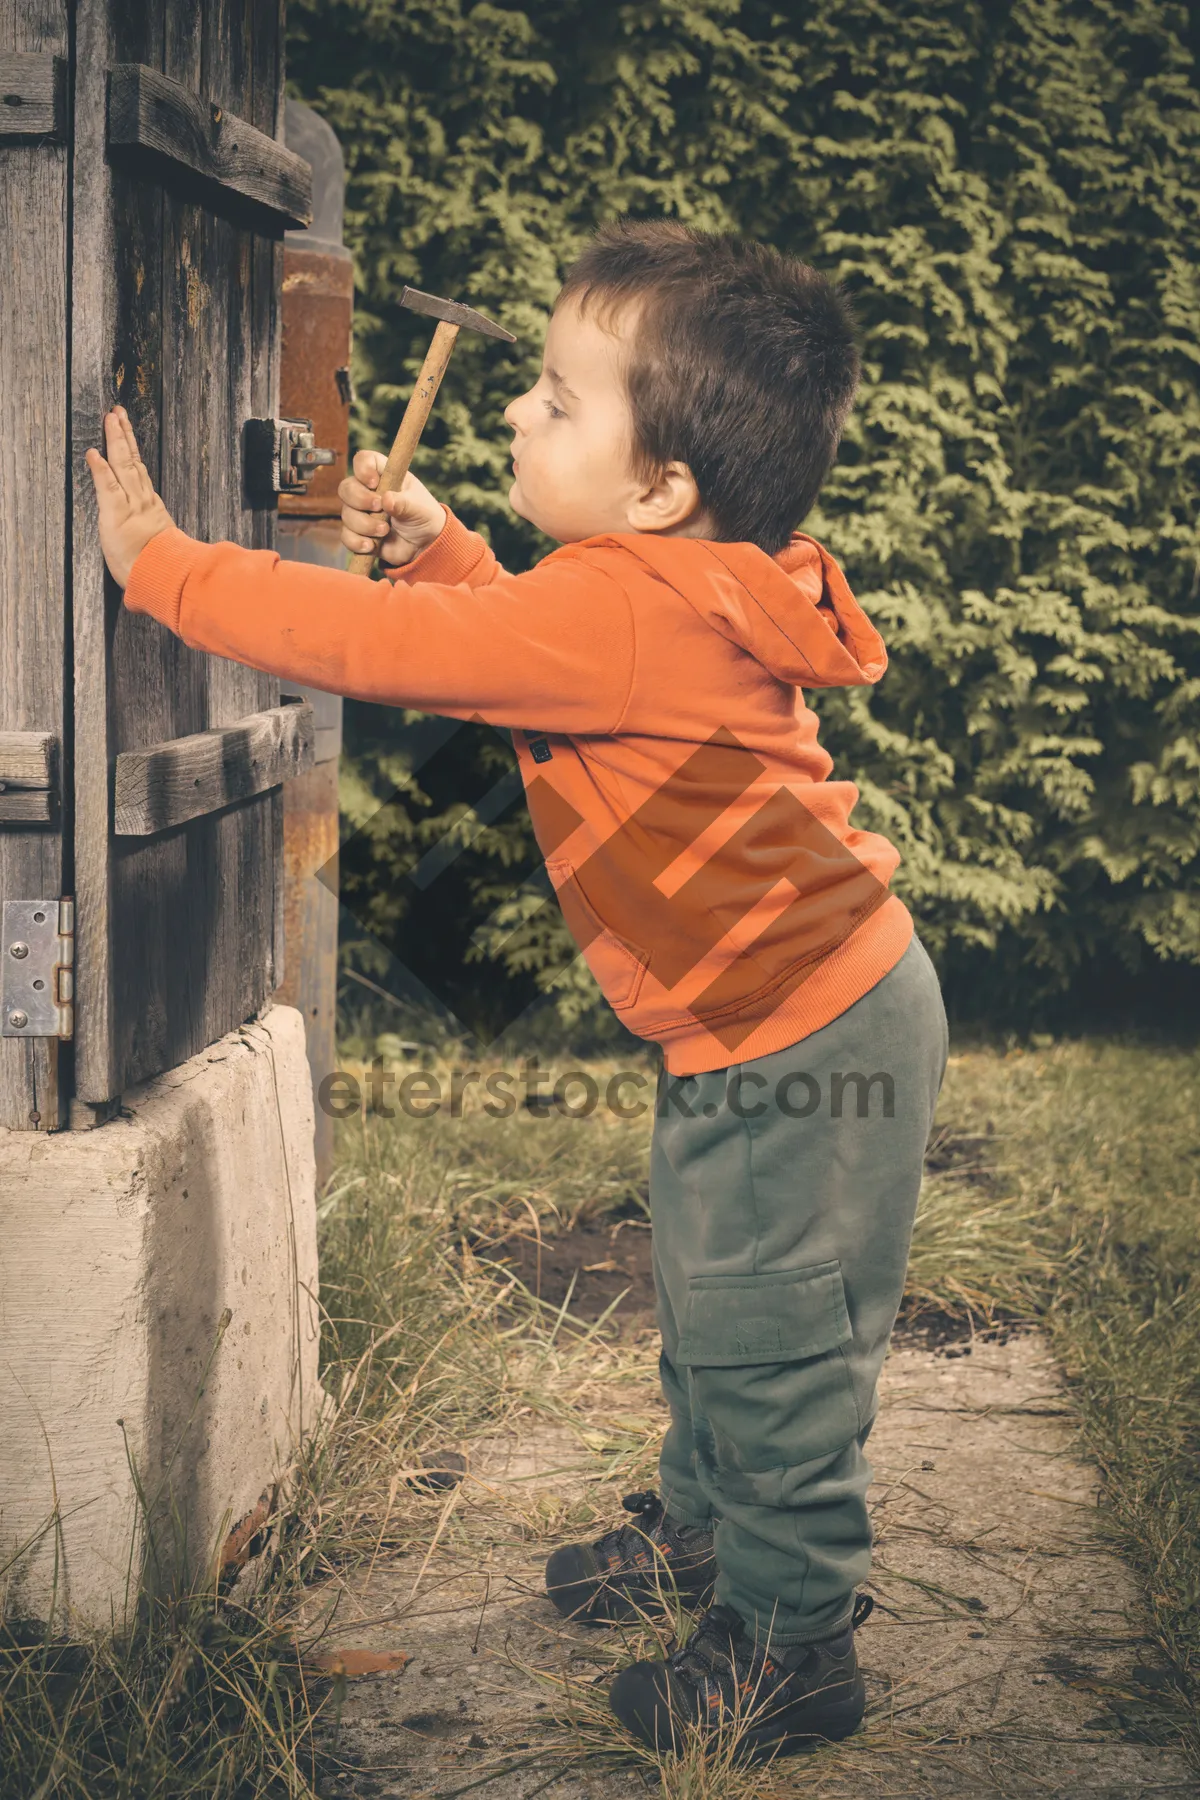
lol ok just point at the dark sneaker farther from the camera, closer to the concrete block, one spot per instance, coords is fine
(629, 1570)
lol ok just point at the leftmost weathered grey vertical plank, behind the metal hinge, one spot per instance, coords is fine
(33, 510)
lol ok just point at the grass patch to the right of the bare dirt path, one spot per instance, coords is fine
(1104, 1142)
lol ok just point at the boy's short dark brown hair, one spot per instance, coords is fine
(742, 366)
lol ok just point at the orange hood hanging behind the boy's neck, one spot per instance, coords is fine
(793, 613)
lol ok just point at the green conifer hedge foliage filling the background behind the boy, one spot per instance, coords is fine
(1012, 193)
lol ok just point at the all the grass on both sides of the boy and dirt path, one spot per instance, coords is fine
(1064, 1187)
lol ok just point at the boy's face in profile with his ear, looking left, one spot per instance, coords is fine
(573, 445)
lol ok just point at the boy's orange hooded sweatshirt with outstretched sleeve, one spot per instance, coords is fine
(703, 858)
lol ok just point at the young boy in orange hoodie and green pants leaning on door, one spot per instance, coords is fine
(690, 406)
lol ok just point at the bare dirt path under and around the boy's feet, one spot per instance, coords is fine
(1005, 1659)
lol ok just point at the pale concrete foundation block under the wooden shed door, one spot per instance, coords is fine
(157, 1306)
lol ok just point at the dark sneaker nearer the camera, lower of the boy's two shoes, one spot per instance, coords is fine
(722, 1682)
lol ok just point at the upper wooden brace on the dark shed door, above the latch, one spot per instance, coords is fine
(150, 112)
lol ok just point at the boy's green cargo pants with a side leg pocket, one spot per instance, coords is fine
(782, 1196)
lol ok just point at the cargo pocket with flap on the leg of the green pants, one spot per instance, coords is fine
(769, 1381)
